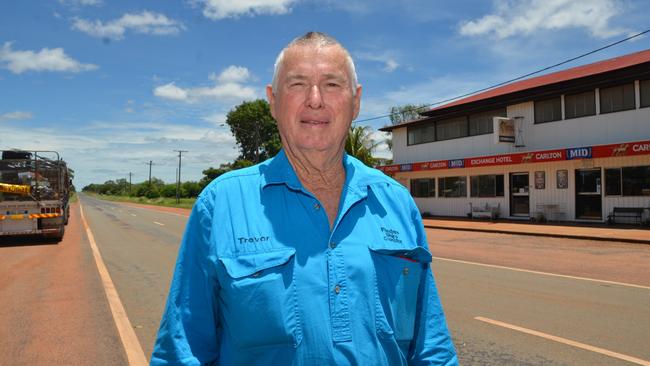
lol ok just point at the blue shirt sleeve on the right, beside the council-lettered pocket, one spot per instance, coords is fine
(432, 344)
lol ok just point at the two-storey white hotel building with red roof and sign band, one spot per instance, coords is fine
(569, 145)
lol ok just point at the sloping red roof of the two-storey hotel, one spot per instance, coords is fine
(584, 71)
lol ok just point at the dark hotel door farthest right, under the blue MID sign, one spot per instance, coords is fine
(588, 194)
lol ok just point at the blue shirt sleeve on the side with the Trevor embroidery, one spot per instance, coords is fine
(189, 329)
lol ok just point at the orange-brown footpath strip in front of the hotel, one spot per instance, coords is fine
(622, 233)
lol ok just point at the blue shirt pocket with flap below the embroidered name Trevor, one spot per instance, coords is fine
(259, 299)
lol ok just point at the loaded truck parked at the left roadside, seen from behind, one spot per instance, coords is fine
(35, 189)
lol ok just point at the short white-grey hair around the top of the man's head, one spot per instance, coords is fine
(316, 39)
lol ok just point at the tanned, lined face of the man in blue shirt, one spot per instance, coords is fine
(313, 103)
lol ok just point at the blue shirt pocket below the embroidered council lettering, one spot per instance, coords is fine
(399, 270)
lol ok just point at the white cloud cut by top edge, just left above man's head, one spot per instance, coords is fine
(220, 9)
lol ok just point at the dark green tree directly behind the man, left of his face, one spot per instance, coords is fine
(255, 130)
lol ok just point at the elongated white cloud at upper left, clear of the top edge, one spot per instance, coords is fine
(145, 22)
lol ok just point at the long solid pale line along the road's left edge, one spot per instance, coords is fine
(132, 346)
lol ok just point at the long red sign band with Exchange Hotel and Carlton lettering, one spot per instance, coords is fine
(588, 152)
